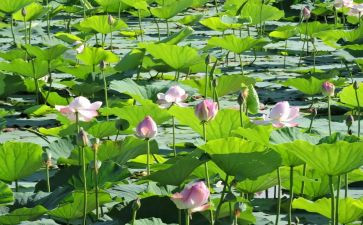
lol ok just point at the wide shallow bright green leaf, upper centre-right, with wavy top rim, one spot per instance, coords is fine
(235, 44)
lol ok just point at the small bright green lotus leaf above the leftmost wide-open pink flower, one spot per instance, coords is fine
(93, 56)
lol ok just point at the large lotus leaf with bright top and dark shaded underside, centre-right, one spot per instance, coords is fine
(241, 158)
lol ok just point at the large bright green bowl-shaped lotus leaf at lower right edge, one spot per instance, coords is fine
(331, 159)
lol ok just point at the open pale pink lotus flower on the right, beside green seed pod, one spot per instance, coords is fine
(281, 115)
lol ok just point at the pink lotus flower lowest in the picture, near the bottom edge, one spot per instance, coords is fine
(194, 197)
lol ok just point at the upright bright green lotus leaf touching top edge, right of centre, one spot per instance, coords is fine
(260, 13)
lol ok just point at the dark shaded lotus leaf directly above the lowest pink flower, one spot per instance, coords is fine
(176, 170)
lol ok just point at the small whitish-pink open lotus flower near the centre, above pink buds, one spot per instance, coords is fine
(175, 95)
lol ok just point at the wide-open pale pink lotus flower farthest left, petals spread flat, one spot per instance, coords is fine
(81, 105)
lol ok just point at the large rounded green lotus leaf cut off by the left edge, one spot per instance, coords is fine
(19, 160)
